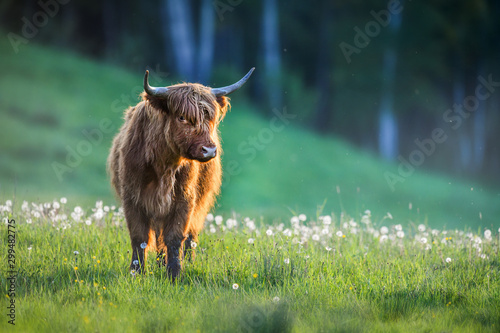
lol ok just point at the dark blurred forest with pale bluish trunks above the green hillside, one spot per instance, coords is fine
(395, 85)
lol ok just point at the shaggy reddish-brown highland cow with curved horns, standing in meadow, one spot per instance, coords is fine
(165, 167)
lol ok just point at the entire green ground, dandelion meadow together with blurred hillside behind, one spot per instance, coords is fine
(424, 258)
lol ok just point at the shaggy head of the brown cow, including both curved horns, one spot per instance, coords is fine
(193, 112)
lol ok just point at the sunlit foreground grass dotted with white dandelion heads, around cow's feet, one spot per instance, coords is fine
(321, 273)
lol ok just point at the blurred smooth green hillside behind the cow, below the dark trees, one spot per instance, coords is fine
(54, 103)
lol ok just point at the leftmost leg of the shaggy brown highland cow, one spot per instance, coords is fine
(138, 226)
